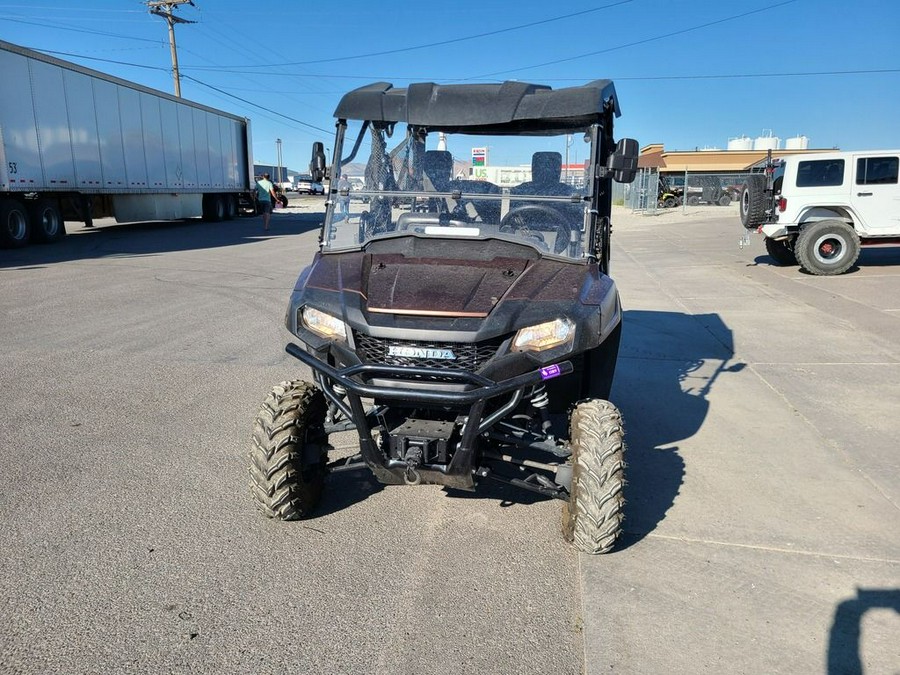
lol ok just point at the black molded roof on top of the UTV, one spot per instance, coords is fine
(507, 108)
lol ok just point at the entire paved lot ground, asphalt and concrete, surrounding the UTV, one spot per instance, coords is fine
(764, 481)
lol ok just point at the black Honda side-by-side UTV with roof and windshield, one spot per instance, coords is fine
(460, 303)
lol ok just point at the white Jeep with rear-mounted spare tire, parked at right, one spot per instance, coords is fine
(817, 209)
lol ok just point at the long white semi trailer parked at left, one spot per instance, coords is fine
(78, 144)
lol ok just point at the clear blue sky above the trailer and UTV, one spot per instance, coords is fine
(689, 74)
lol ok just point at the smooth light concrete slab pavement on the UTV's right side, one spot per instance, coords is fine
(763, 515)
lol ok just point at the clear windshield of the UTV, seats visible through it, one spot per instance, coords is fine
(530, 189)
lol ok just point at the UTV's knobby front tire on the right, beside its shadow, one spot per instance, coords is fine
(592, 518)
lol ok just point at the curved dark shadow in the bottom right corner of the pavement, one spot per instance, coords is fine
(845, 636)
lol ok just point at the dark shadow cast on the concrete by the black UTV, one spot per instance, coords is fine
(668, 364)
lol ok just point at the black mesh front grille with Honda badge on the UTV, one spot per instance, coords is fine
(469, 357)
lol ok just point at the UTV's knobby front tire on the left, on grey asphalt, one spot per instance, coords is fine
(289, 451)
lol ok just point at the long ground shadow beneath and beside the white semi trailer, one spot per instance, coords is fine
(109, 239)
